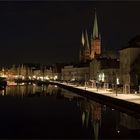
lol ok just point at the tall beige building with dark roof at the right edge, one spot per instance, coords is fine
(130, 64)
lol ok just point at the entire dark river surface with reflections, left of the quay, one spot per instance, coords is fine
(54, 113)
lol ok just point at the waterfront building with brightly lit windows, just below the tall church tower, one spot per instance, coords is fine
(104, 70)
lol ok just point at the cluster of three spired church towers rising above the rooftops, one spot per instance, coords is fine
(91, 49)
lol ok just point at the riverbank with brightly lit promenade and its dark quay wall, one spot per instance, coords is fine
(129, 103)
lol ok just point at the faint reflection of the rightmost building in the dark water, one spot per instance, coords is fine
(129, 122)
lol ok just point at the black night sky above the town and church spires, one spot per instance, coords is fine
(49, 32)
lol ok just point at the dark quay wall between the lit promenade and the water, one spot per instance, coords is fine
(123, 105)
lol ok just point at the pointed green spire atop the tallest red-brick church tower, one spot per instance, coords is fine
(95, 27)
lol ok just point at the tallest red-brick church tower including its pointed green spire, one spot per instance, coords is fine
(95, 40)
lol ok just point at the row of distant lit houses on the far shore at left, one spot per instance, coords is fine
(32, 72)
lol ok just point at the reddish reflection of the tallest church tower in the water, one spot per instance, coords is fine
(95, 117)
